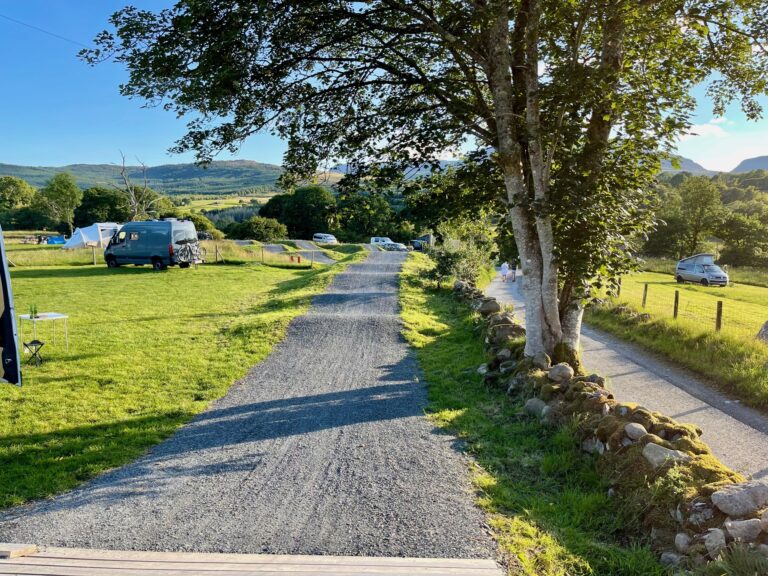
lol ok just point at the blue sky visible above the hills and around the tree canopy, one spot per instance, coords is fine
(55, 110)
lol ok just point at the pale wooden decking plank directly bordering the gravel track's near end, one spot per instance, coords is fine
(217, 558)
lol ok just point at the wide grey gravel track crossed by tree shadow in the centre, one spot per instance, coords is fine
(321, 449)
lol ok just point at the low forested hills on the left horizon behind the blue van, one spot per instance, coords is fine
(220, 177)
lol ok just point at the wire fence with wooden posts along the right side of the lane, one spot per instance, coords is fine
(704, 313)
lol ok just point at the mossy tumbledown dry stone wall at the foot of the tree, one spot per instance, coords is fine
(690, 505)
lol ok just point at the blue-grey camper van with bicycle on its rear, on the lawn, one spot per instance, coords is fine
(156, 242)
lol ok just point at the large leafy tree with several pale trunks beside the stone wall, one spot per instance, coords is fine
(574, 101)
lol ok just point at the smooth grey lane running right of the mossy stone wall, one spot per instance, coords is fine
(737, 434)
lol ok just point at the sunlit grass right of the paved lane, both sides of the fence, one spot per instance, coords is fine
(733, 359)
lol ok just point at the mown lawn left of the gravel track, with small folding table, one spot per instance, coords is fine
(148, 350)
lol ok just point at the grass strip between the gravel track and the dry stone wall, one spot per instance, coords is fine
(546, 504)
